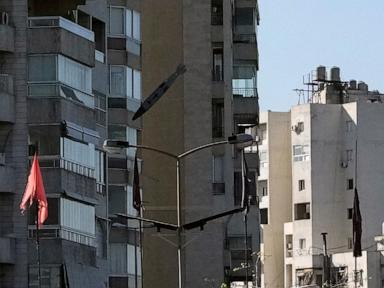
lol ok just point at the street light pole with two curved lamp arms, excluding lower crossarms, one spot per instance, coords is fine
(114, 146)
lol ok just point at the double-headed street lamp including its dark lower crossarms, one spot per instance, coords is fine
(117, 146)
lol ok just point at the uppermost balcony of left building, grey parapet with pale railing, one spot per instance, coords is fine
(58, 35)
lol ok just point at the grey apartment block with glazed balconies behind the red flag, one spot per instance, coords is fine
(70, 76)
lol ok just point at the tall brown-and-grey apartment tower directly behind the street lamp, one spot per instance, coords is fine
(216, 97)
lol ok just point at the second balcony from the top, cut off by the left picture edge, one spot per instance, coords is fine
(7, 101)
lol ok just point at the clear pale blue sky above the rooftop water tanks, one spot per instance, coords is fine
(296, 36)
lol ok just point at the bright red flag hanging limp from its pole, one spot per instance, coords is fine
(35, 191)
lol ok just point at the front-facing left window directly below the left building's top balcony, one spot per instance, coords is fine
(42, 68)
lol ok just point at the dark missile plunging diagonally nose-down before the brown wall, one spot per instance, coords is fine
(159, 91)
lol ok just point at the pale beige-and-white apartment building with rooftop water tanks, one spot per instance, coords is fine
(334, 145)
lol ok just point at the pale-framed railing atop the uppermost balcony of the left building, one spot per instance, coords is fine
(57, 21)
